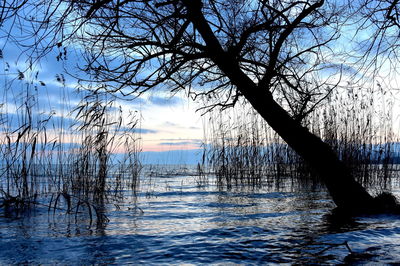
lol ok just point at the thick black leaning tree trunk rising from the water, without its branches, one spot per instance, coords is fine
(343, 188)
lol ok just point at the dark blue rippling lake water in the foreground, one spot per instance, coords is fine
(174, 221)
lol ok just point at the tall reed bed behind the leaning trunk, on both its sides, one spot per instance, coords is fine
(242, 149)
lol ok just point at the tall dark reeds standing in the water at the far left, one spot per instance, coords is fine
(65, 155)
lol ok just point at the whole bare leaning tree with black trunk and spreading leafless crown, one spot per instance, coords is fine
(277, 55)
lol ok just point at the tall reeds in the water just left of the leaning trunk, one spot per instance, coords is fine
(243, 150)
